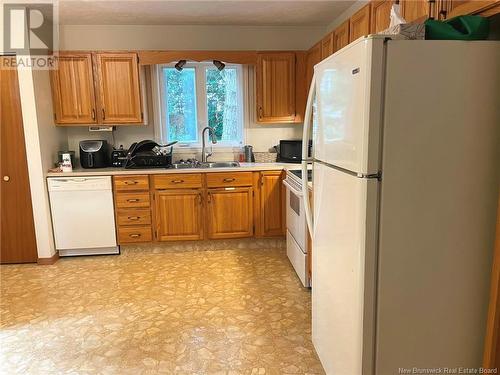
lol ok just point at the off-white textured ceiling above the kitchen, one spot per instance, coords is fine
(208, 12)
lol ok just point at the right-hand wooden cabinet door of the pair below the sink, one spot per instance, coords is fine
(229, 212)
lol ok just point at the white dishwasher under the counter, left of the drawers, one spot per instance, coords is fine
(83, 215)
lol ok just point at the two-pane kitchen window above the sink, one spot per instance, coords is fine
(201, 95)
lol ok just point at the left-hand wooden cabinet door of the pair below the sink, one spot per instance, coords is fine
(178, 215)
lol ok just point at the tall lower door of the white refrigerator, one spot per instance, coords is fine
(343, 264)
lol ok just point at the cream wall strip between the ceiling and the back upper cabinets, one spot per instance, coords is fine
(180, 37)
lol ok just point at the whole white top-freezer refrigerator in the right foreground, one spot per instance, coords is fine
(406, 169)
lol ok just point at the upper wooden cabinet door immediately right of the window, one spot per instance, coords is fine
(275, 87)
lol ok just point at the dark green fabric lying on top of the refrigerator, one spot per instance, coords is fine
(458, 28)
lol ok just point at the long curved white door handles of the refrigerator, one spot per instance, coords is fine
(305, 144)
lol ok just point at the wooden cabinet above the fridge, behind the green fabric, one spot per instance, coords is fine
(453, 8)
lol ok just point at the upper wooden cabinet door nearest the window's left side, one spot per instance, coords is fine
(119, 89)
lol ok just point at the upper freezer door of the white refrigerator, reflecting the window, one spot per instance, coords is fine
(349, 97)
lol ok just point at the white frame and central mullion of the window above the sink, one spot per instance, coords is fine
(201, 105)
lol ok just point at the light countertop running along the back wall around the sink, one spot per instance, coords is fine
(248, 167)
